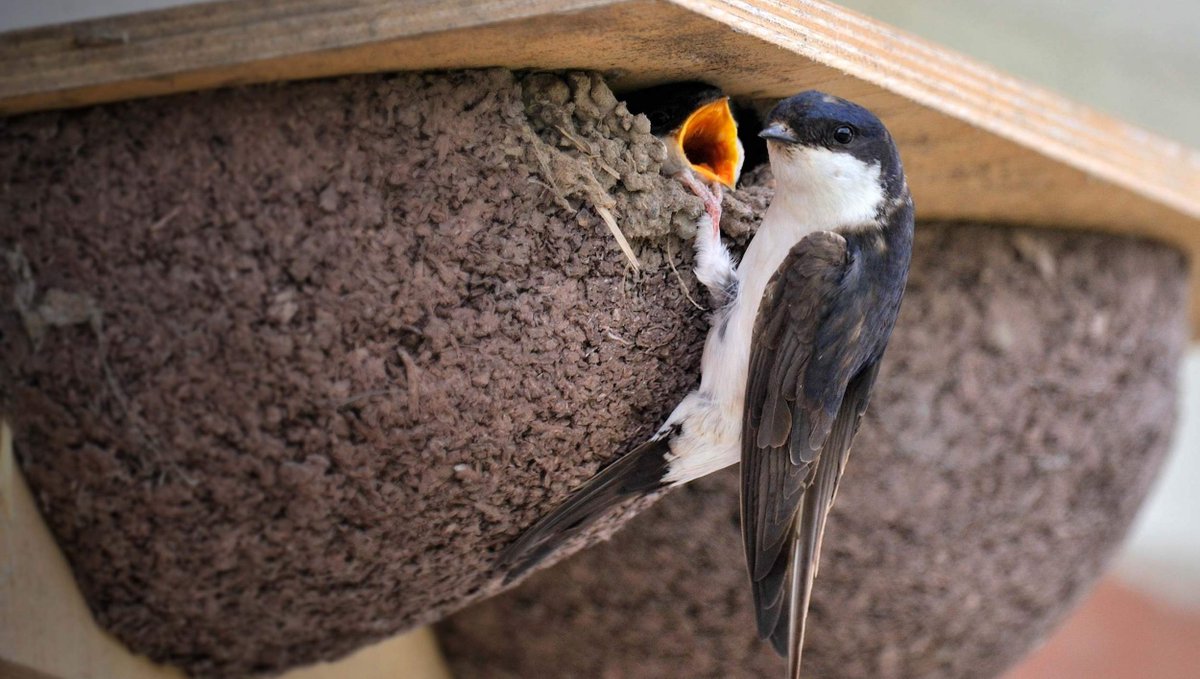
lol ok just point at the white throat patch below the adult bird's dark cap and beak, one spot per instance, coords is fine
(825, 190)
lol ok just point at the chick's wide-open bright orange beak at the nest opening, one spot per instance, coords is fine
(710, 142)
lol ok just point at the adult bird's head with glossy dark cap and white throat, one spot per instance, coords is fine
(825, 145)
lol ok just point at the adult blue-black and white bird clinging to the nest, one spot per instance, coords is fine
(790, 360)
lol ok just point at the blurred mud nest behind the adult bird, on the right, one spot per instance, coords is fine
(1024, 407)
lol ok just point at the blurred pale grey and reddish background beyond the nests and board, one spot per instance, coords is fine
(1133, 59)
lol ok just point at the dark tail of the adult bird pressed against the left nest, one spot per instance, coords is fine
(637, 474)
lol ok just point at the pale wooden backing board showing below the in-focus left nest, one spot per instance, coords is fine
(49, 633)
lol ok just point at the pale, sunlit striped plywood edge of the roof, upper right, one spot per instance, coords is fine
(945, 81)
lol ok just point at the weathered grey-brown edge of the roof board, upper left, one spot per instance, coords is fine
(220, 44)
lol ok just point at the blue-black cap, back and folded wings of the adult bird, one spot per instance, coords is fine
(823, 327)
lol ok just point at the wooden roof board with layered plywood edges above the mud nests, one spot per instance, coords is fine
(977, 145)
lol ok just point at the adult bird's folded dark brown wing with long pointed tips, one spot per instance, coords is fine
(809, 382)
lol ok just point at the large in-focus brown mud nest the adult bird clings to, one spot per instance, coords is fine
(289, 364)
